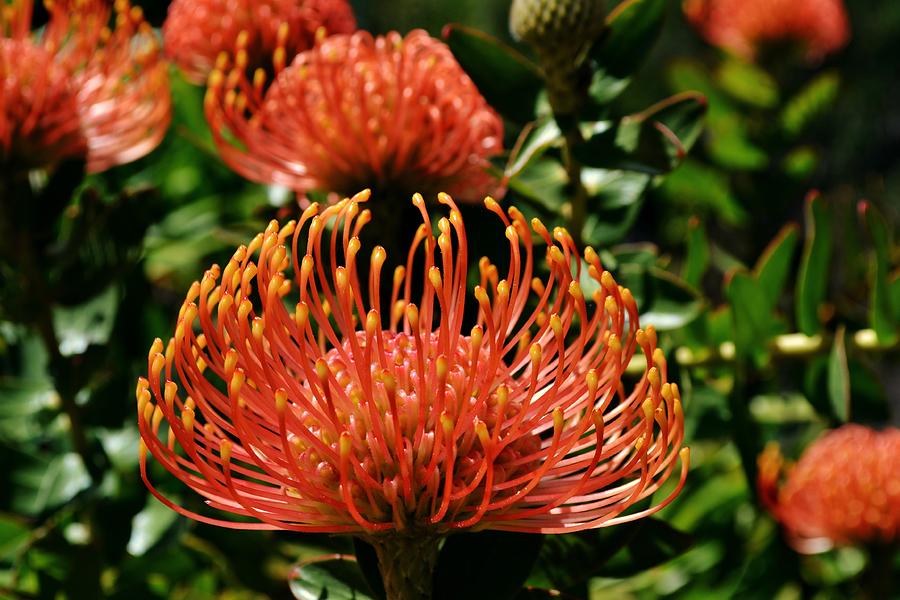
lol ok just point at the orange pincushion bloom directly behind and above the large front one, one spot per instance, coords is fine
(392, 113)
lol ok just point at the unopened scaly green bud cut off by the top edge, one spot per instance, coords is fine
(556, 27)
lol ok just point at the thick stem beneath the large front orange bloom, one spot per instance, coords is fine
(407, 565)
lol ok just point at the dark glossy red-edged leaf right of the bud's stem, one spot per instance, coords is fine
(654, 141)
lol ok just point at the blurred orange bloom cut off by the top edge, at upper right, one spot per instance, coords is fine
(821, 26)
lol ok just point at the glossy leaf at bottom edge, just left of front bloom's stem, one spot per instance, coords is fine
(334, 576)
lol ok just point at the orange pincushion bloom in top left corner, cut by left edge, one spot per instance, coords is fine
(80, 88)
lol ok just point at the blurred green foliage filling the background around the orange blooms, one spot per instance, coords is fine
(780, 315)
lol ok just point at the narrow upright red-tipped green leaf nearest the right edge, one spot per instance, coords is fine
(881, 310)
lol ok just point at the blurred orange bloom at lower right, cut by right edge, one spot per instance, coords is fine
(845, 489)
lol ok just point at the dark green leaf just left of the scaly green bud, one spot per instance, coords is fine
(508, 80)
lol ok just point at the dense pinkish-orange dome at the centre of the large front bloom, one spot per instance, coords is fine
(415, 418)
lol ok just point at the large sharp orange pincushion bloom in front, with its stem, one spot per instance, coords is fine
(394, 423)
